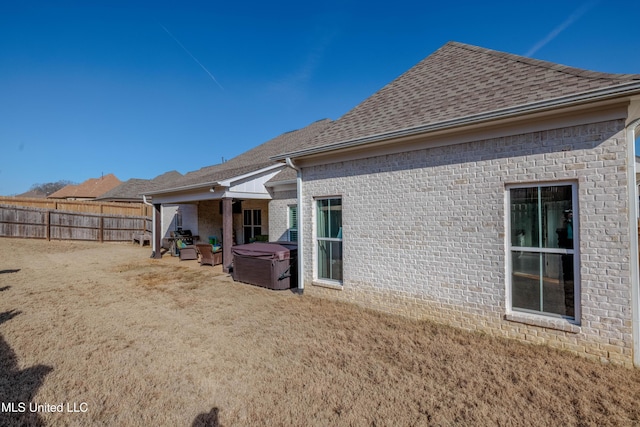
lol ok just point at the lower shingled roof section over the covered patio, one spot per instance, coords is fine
(249, 161)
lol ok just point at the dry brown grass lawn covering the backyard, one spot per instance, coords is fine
(147, 342)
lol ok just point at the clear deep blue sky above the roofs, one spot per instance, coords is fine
(139, 88)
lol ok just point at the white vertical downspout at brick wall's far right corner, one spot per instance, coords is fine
(631, 136)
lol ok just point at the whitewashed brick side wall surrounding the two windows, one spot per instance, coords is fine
(424, 233)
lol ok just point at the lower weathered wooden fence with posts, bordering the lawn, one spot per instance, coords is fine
(35, 223)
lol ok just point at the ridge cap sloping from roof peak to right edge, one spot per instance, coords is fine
(566, 69)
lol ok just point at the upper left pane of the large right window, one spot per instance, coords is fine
(524, 217)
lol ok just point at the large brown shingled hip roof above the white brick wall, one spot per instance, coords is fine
(459, 81)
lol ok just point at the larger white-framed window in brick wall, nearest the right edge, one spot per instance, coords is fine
(542, 255)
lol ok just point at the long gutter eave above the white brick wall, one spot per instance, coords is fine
(618, 91)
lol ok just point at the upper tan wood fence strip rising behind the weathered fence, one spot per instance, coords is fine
(88, 206)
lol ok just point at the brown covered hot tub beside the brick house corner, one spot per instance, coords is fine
(270, 265)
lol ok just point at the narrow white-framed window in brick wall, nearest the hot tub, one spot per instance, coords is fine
(329, 238)
